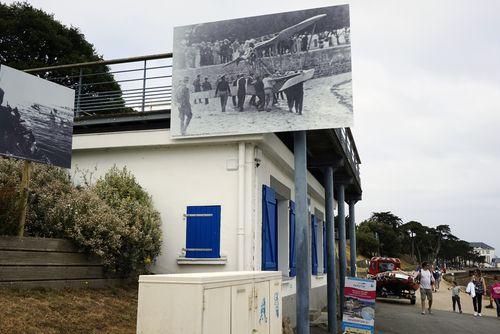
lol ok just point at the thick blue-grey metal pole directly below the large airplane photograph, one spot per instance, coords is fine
(301, 230)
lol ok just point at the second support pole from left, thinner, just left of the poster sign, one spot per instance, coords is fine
(330, 253)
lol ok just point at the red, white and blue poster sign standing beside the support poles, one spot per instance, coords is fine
(359, 306)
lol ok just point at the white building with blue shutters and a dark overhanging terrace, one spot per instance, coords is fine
(226, 203)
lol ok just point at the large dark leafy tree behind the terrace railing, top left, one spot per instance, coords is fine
(31, 38)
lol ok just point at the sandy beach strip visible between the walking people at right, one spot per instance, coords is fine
(442, 301)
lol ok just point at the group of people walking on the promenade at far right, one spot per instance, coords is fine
(476, 289)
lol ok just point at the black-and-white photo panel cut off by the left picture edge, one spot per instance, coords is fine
(36, 118)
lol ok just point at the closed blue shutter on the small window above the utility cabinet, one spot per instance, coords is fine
(203, 231)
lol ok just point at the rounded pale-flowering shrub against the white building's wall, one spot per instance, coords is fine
(142, 236)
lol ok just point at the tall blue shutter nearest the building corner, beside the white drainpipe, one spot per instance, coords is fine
(269, 229)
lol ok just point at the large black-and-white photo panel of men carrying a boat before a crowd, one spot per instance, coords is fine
(271, 73)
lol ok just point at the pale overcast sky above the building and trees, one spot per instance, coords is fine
(426, 90)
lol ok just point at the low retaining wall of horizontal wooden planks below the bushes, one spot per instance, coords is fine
(49, 263)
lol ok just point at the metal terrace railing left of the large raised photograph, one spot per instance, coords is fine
(117, 86)
